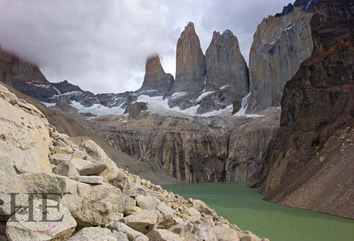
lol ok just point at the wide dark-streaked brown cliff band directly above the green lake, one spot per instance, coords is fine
(193, 151)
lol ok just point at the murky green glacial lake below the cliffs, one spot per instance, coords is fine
(245, 208)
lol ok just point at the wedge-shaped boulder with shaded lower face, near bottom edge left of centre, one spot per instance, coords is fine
(144, 221)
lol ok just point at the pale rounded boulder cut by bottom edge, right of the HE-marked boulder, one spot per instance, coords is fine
(94, 234)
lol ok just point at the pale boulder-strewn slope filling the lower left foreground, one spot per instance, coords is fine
(97, 201)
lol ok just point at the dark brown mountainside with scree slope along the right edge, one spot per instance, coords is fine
(317, 103)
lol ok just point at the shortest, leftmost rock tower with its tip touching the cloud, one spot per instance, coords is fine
(156, 80)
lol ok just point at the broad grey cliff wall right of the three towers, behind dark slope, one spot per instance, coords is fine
(281, 43)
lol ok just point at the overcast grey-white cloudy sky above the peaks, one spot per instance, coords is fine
(102, 45)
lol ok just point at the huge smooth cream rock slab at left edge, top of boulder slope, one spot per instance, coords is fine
(24, 135)
